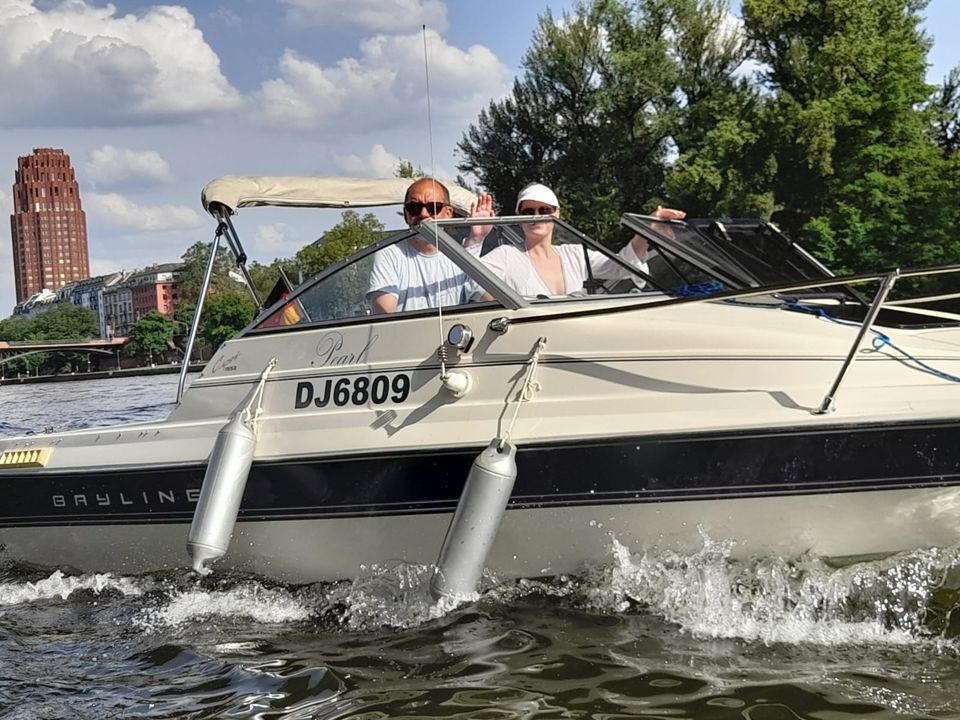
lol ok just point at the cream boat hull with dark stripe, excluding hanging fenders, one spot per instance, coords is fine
(700, 424)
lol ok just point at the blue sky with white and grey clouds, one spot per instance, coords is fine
(153, 101)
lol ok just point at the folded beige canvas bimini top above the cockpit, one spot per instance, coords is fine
(322, 192)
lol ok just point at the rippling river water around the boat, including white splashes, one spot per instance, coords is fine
(672, 637)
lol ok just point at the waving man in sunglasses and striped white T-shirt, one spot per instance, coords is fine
(412, 274)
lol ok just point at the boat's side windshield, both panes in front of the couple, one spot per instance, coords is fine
(465, 265)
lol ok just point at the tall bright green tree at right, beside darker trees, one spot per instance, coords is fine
(857, 168)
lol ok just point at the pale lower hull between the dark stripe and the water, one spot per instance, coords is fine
(531, 542)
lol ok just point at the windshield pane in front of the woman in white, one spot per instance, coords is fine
(541, 259)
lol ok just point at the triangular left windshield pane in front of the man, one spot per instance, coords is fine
(399, 275)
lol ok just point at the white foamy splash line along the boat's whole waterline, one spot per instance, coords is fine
(900, 600)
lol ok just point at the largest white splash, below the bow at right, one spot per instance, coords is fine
(774, 599)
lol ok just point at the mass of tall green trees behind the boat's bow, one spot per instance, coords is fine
(814, 114)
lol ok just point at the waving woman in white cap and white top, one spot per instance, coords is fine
(541, 268)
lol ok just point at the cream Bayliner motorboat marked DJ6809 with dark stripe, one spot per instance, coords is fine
(730, 387)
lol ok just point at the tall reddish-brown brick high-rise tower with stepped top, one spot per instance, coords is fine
(48, 226)
